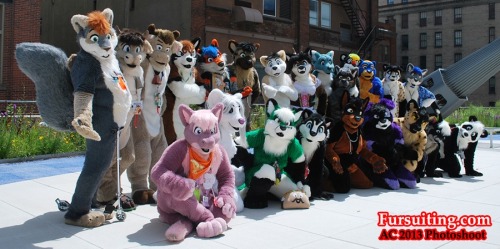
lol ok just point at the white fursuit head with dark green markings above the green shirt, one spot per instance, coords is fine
(280, 127)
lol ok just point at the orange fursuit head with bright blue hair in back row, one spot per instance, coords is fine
(212, 59)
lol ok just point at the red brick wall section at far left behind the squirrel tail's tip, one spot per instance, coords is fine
(22, 24)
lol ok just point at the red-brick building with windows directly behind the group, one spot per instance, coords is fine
(344, 26)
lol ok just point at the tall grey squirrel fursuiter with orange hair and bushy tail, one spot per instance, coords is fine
(93, 97)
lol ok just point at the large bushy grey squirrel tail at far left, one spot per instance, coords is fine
(46, 66)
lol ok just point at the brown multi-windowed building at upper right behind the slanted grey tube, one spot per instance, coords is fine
(437, 33)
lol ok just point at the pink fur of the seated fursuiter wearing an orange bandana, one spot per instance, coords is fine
(176, 201)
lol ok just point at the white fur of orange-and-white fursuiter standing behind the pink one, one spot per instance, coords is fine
(186, 91)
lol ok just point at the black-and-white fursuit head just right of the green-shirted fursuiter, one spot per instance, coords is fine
(313, 130)
